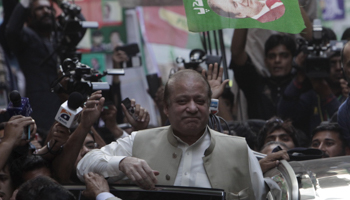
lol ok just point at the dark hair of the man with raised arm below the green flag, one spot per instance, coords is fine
(275, 40)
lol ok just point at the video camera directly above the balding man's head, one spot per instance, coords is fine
(198, 56)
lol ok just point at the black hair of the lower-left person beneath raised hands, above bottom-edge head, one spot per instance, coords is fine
(25, 164)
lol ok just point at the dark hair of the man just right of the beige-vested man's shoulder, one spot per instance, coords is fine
(273, 124)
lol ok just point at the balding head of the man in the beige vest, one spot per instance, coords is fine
(187, 97)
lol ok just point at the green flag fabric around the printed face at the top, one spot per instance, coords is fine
(290, 22)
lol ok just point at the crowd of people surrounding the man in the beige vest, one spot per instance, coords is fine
(291, 109)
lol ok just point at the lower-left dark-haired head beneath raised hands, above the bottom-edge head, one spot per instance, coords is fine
(28, 167)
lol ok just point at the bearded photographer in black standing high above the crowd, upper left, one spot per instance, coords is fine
(35, 47)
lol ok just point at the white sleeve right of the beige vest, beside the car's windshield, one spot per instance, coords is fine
(256, 176)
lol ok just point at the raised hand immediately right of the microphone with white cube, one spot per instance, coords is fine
(92, 110)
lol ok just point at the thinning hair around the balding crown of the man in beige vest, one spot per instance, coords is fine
(184, 74)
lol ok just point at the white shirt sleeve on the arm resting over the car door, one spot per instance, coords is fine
(105, 161)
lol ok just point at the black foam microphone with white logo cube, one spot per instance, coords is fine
(67, 115)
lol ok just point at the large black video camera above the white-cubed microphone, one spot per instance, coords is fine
(84, 79)
